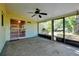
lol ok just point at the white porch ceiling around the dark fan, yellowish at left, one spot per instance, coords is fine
(53, 9)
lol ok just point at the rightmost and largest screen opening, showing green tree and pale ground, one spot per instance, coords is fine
(71, 28)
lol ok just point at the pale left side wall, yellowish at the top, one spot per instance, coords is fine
(2, 29)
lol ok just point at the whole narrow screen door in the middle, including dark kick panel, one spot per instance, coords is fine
(59, 30)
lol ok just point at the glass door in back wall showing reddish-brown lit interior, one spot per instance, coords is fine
(17, 29)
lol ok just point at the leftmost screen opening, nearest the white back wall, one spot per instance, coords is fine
(45, 28)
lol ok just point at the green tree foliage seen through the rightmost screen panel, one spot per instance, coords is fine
(70, 23)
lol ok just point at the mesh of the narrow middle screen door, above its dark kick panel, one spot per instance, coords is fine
(58, 28)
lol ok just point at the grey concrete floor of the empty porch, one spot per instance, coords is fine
(38, 47)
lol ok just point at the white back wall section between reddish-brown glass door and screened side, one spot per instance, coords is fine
(31, 30)
